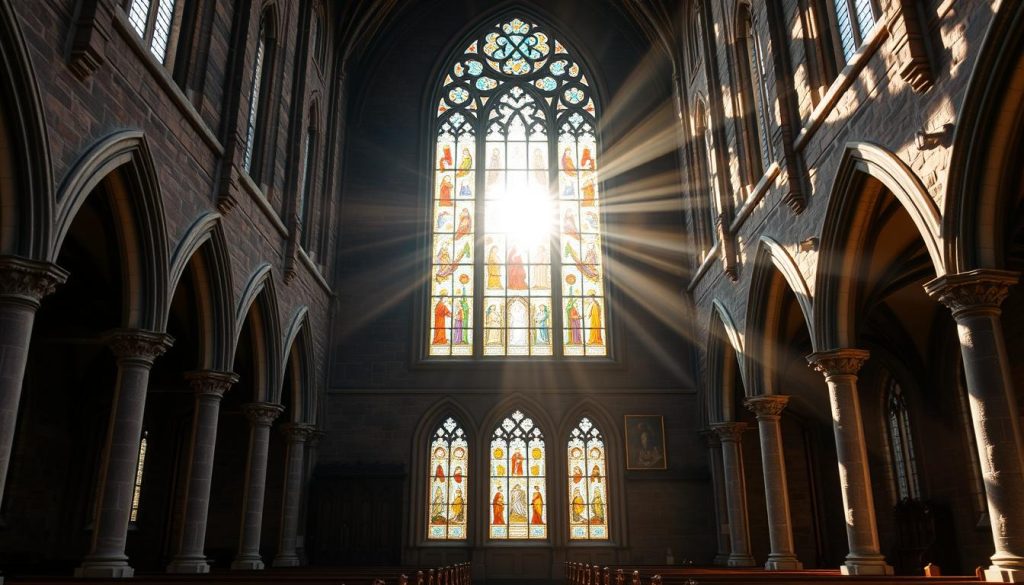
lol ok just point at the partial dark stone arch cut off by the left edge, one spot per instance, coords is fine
(26, 184)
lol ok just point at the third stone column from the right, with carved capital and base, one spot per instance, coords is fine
(769, 410)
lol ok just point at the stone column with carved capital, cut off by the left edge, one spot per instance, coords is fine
(24, 283)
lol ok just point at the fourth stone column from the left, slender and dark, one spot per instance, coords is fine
(262, 416)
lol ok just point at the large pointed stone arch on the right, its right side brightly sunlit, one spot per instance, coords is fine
(846, 228)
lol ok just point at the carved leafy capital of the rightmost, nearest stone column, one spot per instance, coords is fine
(980, 291)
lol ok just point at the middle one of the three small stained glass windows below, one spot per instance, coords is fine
(519, 509)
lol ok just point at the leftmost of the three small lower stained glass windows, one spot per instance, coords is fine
(448, 483)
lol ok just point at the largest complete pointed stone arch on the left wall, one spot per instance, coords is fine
(124, 162)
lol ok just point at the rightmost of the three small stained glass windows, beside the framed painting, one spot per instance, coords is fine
(588, 484)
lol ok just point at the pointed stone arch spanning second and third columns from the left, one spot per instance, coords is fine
(205, 243)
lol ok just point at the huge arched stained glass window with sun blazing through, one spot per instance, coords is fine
(517, 256)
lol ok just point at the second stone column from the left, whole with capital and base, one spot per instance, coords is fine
(136, 352)
